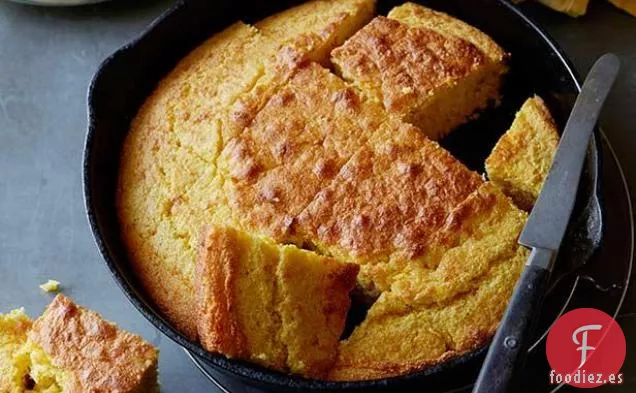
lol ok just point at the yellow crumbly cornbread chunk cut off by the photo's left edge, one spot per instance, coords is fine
(14, 327)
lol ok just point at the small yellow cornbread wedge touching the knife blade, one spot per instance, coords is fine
(523, 156)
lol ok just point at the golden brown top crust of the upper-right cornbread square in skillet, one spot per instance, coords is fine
(402, 67)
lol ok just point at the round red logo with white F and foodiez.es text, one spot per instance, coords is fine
(585, 349)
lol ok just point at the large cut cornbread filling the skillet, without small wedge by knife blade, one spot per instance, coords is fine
(255, 183)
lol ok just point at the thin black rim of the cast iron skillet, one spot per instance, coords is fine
(244, 370)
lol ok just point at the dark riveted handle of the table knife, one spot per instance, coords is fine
(510, 345)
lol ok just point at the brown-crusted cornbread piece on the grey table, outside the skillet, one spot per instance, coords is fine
(99, 356)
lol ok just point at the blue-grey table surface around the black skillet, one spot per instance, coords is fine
(47, 57)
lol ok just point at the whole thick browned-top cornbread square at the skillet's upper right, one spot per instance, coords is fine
(426, 67)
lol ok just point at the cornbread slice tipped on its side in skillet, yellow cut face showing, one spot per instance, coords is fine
(279, 306)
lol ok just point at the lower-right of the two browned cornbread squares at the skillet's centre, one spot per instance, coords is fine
(387, 202)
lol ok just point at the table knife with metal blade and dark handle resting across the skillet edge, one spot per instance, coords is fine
(544, 232)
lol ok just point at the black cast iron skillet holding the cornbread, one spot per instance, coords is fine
(126, 78)
